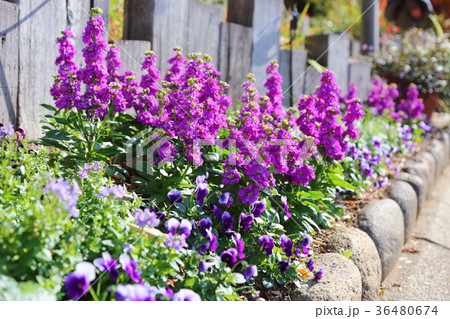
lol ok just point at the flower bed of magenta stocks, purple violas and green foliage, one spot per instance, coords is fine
(147, 191)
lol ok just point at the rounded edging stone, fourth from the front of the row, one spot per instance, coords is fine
(406, 198)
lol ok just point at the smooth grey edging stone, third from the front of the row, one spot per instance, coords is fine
(382, 220)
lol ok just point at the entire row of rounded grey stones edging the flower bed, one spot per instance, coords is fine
(385, 225)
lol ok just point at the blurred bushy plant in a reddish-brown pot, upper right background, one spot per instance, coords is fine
(420, 57)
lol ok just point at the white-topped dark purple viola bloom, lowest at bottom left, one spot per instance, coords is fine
(77, 282)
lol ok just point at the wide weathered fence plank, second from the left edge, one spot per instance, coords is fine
(41, 23)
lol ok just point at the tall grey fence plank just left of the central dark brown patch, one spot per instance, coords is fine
(204, 29)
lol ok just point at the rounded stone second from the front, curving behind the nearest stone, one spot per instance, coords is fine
(364, 255)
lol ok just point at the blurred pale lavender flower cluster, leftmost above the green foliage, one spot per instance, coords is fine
(65, 192)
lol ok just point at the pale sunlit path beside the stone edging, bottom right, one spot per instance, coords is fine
(423, 270)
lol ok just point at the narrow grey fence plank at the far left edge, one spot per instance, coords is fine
(9, 65)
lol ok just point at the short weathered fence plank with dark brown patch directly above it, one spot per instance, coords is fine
(235, 57)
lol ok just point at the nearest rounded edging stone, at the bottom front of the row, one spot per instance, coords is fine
(341, 281)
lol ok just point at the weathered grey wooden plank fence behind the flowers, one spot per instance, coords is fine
(241, 38)
